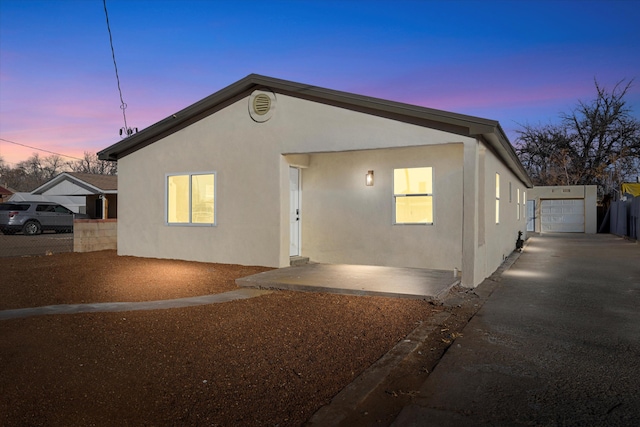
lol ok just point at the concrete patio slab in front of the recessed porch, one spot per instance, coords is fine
(414, 283)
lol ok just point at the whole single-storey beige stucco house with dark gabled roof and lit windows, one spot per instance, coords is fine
(268, 169)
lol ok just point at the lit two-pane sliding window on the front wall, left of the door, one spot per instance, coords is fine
(191, 198)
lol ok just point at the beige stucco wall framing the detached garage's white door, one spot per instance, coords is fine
(588, 193)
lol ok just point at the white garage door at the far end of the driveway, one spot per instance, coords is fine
(562, 216)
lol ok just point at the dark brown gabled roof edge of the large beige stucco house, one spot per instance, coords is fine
(489, 130)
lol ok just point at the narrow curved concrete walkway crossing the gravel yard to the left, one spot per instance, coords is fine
(131, 306)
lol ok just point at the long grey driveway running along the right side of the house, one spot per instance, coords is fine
(557, 343)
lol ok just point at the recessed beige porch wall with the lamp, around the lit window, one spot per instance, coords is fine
(345, 221)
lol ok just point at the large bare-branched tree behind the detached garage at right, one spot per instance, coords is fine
(596, 143)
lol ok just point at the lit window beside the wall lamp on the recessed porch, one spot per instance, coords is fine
(413, 195)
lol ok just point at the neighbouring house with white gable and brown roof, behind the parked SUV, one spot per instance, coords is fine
(93, 194)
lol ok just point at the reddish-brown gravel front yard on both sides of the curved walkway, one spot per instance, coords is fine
(272, 360)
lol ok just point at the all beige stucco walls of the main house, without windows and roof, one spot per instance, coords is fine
(343, 221)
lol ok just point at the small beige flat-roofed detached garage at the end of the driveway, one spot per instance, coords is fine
(563, 209)
